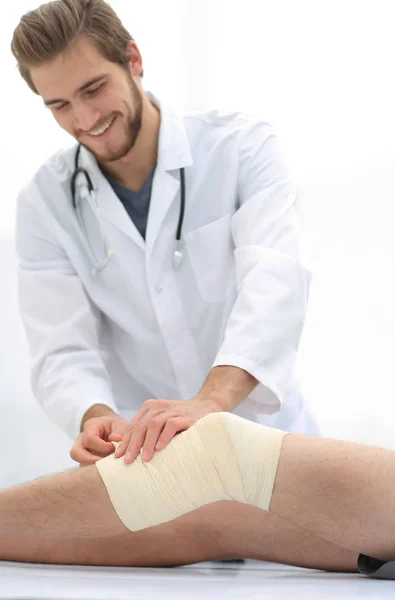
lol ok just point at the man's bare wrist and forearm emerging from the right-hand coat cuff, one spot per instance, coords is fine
(227, 387)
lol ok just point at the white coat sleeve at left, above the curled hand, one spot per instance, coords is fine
(62, 326)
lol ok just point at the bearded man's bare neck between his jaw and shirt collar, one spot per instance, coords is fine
(133, 169)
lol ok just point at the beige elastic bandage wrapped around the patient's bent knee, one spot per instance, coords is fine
(221, 457)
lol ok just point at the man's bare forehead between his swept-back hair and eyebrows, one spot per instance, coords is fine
(63, 75)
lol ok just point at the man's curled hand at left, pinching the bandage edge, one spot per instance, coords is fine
(94, 442)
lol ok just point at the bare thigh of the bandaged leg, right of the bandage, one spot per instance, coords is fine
(342, 491)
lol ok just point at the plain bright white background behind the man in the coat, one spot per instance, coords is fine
(322, 73)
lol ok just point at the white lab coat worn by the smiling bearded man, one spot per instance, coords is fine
(140, 329)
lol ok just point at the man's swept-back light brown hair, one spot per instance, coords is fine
(44, 33)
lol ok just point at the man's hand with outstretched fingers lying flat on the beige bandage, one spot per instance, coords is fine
(157, 422)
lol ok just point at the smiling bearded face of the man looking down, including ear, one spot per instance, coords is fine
(96, 101)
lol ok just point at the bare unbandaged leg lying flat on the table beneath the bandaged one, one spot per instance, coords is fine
(219, 531)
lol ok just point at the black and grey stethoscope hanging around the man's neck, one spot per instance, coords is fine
(84, 200)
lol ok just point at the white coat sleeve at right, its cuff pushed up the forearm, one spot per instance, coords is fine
(266, 323)
